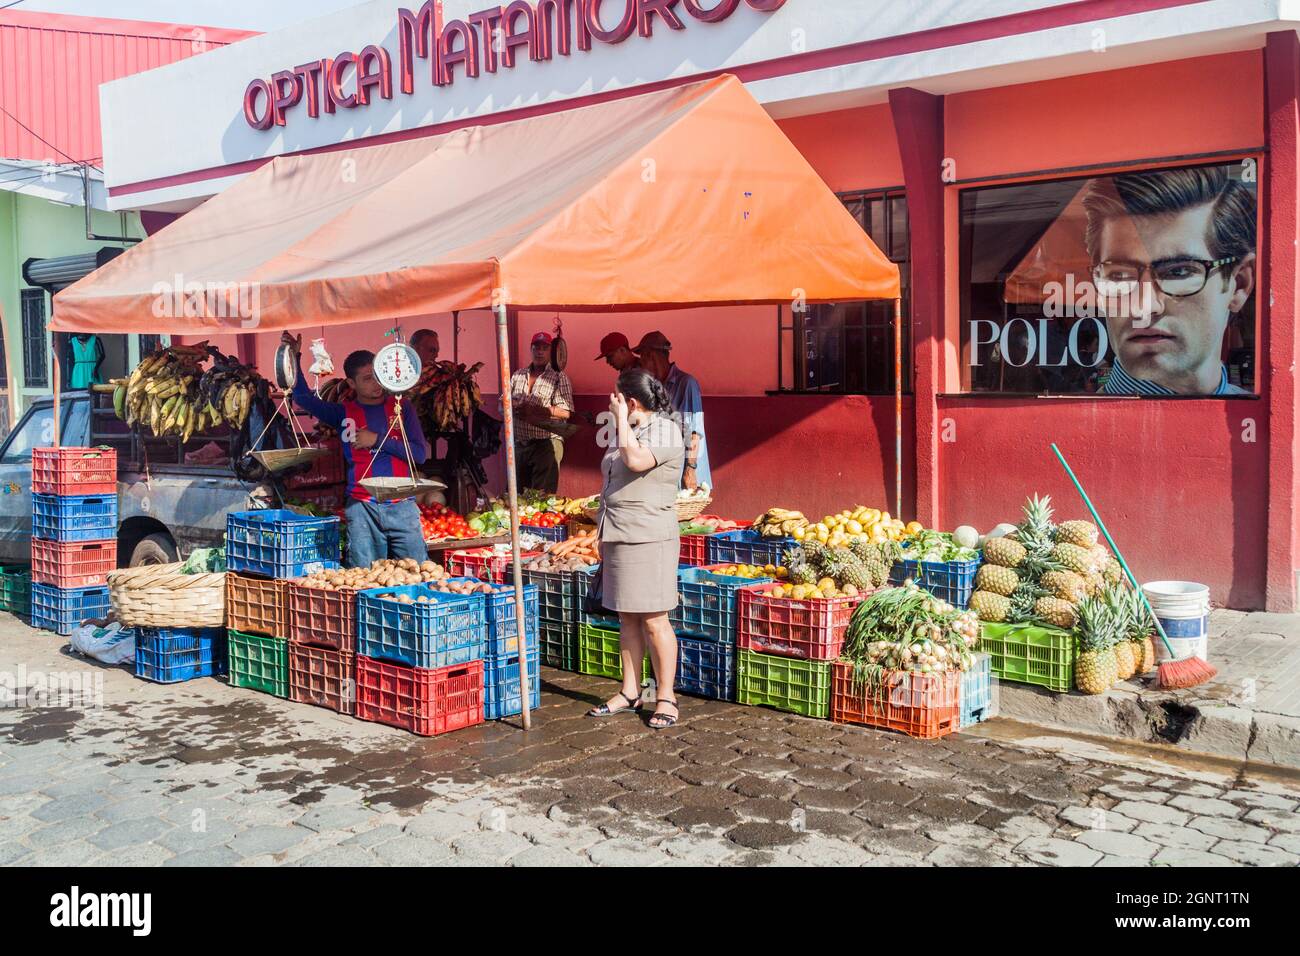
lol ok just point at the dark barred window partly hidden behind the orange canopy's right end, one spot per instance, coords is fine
(848, 348)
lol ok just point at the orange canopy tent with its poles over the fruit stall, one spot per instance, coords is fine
(684, 197)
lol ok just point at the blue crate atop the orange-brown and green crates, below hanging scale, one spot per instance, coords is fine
(278, 543)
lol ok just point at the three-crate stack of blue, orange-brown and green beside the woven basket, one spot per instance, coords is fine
(265, 551)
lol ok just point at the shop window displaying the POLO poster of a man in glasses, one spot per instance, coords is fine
(1132, 284)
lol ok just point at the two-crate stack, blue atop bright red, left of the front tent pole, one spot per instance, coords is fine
(421, 659)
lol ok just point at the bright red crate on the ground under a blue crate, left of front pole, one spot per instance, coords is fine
(418, 699)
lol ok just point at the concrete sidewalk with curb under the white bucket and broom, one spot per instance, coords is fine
(1250, 712)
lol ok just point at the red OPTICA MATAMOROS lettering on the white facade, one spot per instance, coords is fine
(483, 42)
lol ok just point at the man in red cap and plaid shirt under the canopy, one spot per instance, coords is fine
(539, 393)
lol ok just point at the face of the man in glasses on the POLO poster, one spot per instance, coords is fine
(1171, 340)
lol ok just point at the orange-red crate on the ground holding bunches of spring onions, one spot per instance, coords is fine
(921, 706)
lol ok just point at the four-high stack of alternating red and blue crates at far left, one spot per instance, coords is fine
(73, 535)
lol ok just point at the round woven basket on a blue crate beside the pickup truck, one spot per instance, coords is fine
(161, 596)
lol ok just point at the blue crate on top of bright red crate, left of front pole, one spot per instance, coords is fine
(444, 631)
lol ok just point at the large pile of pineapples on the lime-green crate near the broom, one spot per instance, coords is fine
(1042, 572)
